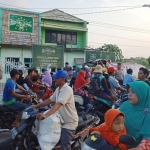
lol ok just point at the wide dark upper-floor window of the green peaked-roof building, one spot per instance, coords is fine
(61, 38)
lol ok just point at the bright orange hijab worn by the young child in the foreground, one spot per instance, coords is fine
(106, 132)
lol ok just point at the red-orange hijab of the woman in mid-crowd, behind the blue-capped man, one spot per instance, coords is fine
(80, 81)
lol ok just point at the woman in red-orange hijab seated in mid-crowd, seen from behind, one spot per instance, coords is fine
(81, 89)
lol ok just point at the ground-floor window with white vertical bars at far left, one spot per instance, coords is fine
(11, 63)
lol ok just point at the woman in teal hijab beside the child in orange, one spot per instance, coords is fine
(137, 114)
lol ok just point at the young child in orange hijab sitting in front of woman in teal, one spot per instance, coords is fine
(111, 129)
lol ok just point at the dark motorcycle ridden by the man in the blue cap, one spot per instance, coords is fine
(23, 137)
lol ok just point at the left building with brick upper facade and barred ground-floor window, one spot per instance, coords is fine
(19, 30)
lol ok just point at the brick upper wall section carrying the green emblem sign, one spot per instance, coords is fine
(22, 36)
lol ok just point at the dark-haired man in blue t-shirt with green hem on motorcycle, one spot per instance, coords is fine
(9, 95)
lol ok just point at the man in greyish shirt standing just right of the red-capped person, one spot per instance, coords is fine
(119, 74)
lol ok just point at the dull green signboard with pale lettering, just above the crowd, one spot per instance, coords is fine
(44, 55)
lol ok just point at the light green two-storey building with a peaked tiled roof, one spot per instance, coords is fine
(61, 29)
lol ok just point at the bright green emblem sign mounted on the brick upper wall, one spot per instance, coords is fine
(20, 23)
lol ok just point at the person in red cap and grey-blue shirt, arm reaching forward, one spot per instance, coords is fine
(114, 84)
